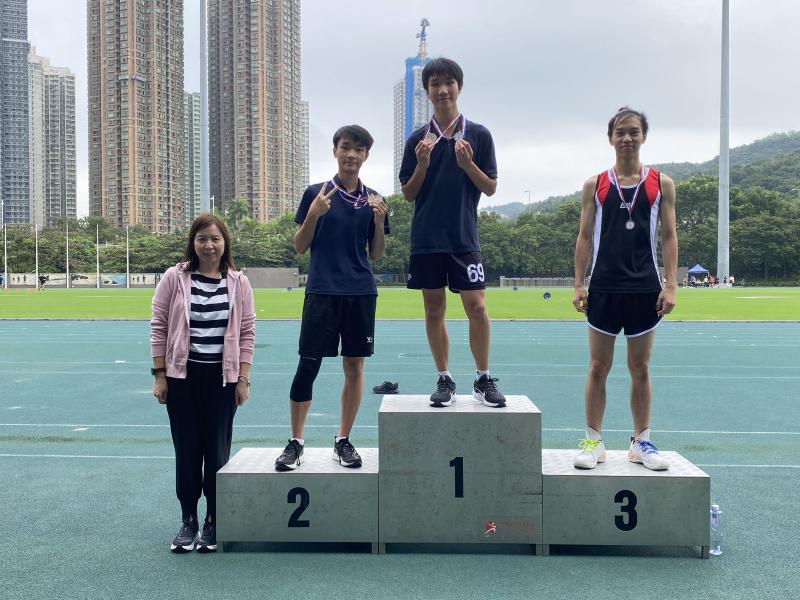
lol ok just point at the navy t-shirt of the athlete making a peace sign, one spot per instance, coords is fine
(339, 263)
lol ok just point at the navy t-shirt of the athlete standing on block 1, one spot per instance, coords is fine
(446, 207)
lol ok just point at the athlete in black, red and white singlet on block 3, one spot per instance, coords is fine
(620, 213)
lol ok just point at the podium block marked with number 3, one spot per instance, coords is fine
(621, 503)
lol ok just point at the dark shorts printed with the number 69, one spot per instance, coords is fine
(462, 271)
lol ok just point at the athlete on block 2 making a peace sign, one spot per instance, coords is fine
(337, 220)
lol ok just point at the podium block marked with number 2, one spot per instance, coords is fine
(321, 501)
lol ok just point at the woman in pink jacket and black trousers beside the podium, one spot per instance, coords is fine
(202, 335)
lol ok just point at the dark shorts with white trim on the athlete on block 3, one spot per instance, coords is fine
(635, 313)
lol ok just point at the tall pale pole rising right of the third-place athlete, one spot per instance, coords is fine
(723, 244)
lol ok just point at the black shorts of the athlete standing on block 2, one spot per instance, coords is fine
(327, 318)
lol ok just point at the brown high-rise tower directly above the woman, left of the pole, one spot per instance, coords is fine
(136, 129)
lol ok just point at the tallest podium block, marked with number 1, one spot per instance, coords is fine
(466, 473)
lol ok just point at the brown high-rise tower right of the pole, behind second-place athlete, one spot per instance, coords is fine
(254, 105)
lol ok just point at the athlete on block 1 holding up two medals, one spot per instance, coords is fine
(447, 165)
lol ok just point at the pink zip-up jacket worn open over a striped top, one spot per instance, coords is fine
(169, 326)
